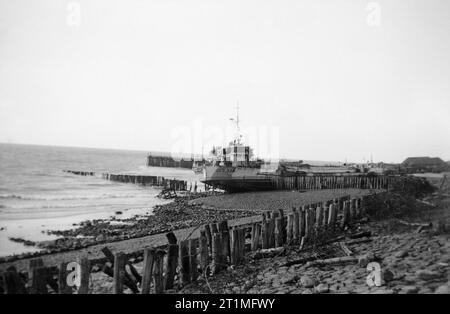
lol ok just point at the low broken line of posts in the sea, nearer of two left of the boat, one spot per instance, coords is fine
(144, 180)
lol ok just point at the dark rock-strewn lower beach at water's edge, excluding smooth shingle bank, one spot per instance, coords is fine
(162, 218)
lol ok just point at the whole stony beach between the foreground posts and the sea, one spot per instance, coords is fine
(133, 237)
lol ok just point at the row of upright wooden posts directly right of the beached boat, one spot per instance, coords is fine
(318, 182)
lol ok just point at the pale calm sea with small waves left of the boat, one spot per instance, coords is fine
(36, 195)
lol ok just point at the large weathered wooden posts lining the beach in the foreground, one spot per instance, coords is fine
(183, 261)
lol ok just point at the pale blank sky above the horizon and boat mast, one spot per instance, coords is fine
(315, 80)
